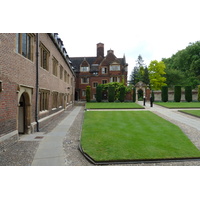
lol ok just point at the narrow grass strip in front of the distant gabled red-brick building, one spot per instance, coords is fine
(115, 105)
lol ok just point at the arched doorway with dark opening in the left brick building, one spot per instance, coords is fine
(24, 114)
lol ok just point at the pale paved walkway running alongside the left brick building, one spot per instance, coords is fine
(50, 151)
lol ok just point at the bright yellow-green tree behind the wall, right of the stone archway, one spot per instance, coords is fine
(156, 72)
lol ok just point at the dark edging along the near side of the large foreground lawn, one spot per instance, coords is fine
(139, 161)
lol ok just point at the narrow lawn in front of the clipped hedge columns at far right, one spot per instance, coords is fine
(179, 104)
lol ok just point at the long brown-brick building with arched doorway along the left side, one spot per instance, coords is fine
(37, 82)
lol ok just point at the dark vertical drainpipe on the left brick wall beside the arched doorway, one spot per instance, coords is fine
(37, 82)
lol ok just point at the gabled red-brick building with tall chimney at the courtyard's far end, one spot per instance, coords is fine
(98, 70)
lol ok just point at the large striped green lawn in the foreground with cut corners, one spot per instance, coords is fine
(129, 135)
